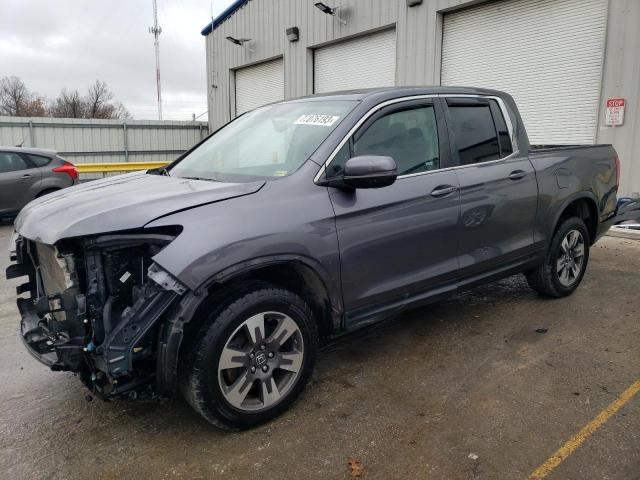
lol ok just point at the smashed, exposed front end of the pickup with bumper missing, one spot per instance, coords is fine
(94, 307)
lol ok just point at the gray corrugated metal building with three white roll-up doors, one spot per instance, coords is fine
(560, 59)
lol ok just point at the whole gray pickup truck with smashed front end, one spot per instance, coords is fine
(219, 275)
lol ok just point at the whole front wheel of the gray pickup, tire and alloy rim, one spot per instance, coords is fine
(252, 358)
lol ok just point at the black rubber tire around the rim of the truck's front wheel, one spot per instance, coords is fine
(200, 379)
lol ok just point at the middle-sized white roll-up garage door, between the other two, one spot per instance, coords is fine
(364, 62)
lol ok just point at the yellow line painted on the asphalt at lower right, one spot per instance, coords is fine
(574, 442)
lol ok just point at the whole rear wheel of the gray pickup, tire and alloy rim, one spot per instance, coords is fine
(565, 262)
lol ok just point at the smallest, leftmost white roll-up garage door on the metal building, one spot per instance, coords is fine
(259, 84)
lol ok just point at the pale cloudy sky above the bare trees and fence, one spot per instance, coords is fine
(55, 44)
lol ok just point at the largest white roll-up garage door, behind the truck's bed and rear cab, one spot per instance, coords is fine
(547, 54)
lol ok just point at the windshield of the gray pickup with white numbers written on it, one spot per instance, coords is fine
(269, 142)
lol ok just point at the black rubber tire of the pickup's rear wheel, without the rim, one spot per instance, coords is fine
(545, 279)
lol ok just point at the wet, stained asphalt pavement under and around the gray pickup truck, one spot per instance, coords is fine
(486, 385)
